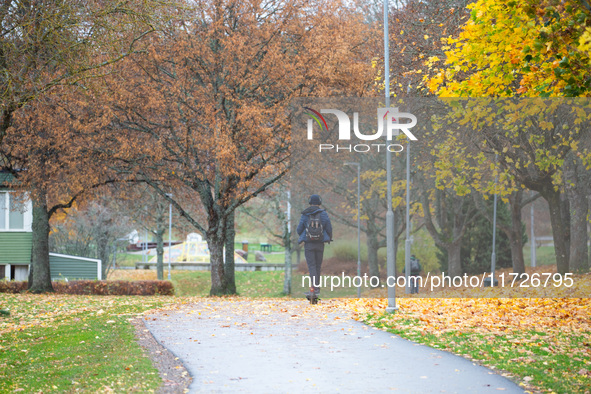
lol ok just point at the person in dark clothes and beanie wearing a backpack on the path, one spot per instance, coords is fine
(314, 230)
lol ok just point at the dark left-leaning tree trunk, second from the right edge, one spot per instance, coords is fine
(559, 230)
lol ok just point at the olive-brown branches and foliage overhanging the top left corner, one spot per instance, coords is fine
(43, 45)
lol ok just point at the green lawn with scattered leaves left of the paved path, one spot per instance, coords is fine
(64, 343)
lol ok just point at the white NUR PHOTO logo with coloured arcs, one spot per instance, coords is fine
(389, 125)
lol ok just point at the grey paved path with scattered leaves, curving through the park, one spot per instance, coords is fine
(292, 347)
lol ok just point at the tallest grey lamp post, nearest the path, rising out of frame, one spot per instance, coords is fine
(390, 258)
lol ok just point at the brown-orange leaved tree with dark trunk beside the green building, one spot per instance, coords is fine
(47, 150)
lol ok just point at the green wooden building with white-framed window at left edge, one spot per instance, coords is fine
(16, 241)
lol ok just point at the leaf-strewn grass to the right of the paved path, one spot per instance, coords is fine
(545, 344)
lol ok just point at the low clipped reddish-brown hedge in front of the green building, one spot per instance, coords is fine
(98, 287)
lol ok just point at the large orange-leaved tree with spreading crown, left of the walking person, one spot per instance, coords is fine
(207, 108)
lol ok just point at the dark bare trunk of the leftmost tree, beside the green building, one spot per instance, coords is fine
(41, 276)
